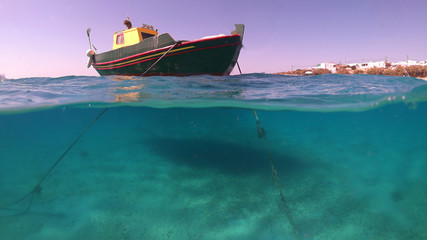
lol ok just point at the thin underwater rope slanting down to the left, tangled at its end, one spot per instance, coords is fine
(37, 188)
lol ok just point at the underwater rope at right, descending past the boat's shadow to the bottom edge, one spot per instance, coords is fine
(261, 134)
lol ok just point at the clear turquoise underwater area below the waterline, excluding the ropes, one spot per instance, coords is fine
(143, 173)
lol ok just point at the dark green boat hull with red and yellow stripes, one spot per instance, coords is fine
(214, 56)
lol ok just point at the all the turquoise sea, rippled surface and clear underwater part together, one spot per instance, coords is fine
(342, 157)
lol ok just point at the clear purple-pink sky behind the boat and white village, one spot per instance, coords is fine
(47, 38)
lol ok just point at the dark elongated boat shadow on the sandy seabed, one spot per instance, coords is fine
(226, 157)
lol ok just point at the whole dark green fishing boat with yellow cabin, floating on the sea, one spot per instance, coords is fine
(141, 51)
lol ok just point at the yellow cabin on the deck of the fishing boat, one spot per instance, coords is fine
(133, 36)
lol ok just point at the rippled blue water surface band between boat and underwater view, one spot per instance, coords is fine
(261, 91)
